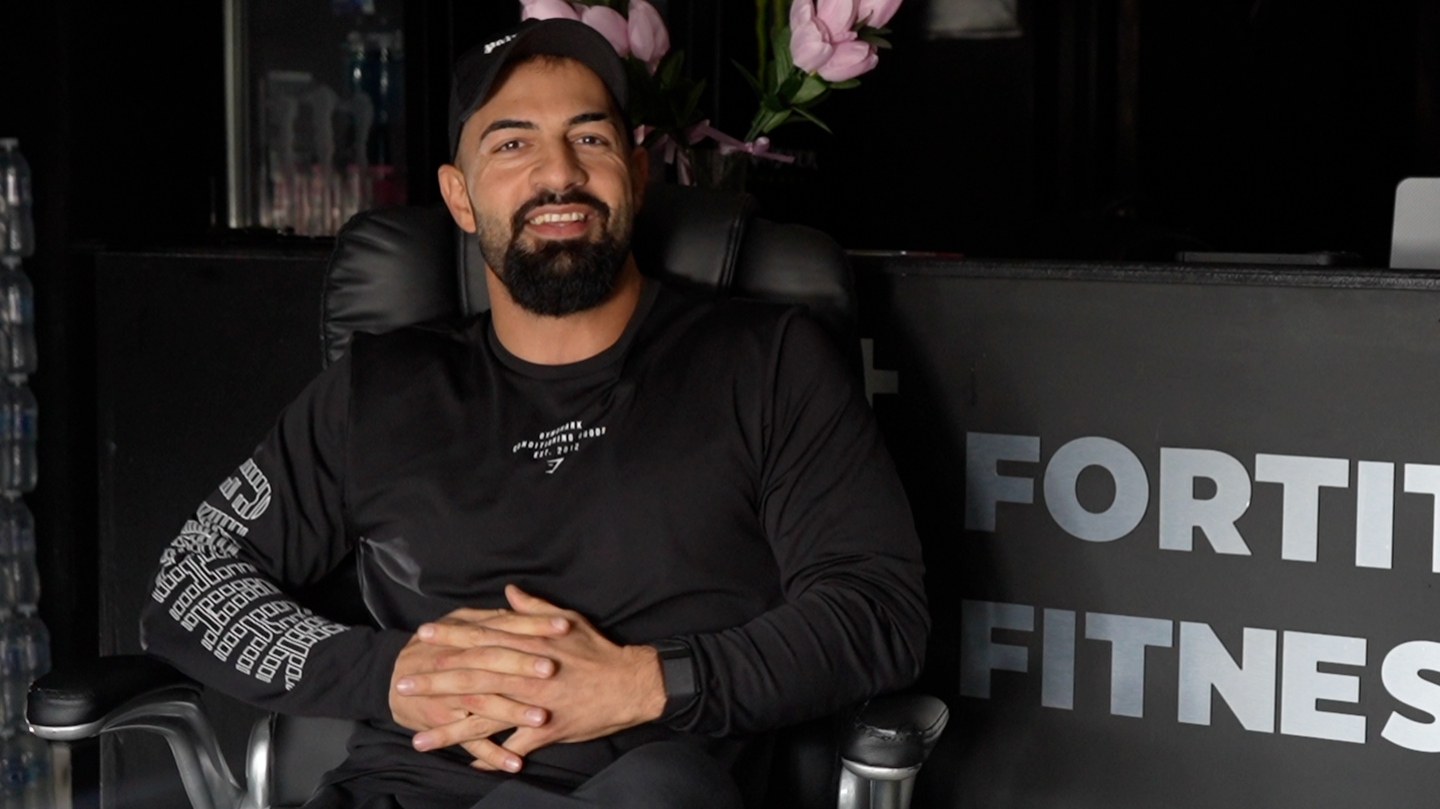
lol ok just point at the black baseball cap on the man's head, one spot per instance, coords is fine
(477, 68)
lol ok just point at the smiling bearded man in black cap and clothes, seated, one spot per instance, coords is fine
(604, 528)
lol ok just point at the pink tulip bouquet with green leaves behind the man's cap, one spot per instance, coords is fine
(807, 50)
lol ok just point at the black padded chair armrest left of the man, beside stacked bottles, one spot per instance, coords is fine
(76, 703)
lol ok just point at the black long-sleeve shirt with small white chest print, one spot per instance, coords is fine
(714, 477)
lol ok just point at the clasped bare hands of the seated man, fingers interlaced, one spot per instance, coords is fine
(542, 670)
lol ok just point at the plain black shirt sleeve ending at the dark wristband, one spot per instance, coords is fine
(855, 621)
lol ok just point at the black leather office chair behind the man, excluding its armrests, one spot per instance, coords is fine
(405, 266)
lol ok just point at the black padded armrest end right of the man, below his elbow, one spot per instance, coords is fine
(895, 733)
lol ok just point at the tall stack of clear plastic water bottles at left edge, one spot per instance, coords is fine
(25, 644)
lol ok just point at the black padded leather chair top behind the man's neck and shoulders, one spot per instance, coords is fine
(404, 266)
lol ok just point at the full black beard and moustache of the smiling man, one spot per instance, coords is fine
(562, 279)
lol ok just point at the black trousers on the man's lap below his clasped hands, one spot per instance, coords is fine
(663, 775)
